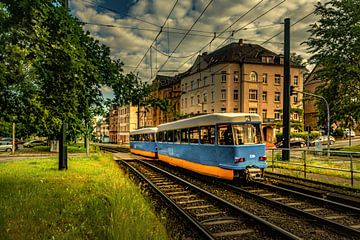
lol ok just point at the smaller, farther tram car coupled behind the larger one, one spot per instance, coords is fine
(143, 142)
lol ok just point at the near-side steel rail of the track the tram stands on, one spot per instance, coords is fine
(341, 229)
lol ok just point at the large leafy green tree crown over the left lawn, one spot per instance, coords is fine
(51, 70)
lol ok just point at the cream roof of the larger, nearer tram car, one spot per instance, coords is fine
(210, 119)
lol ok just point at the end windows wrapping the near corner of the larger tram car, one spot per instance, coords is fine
(239, 134)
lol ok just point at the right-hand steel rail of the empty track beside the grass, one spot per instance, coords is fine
(227, 204)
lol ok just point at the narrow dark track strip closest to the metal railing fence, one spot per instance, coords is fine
(331, 192)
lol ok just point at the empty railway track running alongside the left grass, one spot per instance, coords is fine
(213, 217)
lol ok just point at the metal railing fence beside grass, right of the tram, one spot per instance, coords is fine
(333, 163)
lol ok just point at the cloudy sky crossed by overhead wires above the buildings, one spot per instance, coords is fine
(130, 45)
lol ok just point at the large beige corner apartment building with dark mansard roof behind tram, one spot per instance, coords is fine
(241, 78)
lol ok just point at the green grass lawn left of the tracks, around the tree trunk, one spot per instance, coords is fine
(93, 199)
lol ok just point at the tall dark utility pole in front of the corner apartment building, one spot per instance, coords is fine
(286, 97)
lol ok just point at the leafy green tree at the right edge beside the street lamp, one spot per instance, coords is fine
(335, 45)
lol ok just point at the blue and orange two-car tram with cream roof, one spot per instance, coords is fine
(223, 145)
